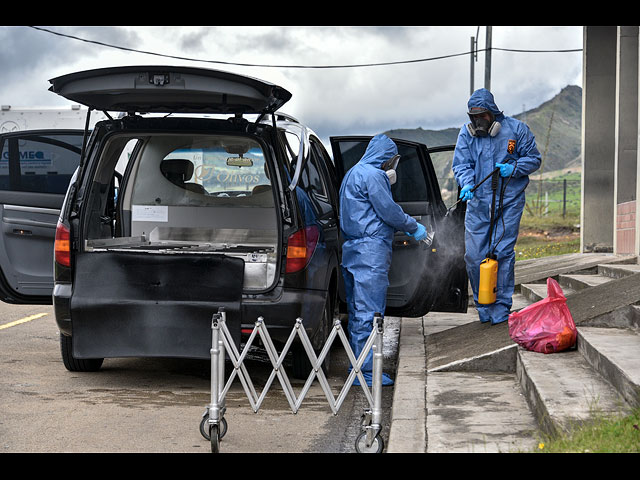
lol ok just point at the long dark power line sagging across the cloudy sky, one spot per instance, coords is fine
(399, 62)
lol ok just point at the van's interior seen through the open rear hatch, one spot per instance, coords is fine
(167, 194)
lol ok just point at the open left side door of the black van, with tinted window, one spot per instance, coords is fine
(35, 170)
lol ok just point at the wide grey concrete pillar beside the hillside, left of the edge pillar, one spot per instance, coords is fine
(598, 138)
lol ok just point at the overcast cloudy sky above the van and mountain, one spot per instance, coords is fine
(365, 100)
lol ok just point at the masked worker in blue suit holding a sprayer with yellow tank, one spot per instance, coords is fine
(492, 140)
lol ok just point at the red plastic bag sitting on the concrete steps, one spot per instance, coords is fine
(545, 326)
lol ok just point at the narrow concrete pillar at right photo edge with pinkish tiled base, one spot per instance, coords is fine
(626, 141)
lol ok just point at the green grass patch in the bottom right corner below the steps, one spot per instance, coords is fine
(602, 435)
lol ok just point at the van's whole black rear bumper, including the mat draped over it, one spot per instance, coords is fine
(125, 320)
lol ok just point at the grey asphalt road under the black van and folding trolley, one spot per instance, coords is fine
(155, 405)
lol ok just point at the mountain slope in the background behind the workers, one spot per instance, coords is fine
(556, 125)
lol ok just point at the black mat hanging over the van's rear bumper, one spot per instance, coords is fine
(138, 305)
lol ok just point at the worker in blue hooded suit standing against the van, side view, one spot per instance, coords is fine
(369, 218)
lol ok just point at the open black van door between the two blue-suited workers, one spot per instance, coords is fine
(422, 278)
